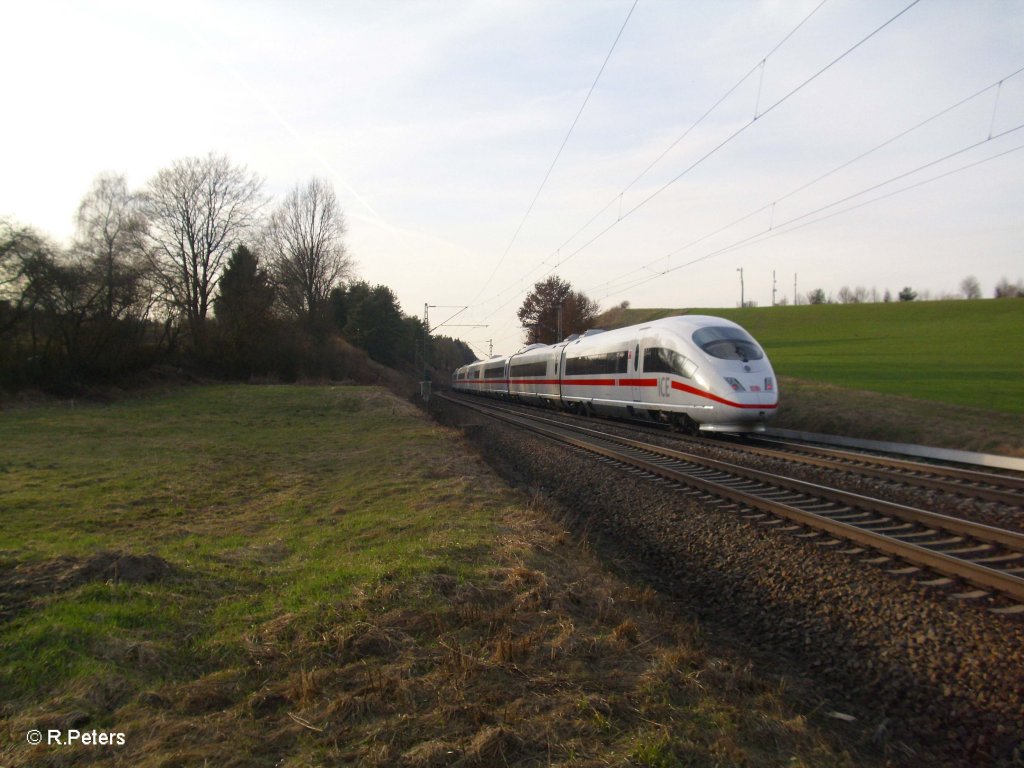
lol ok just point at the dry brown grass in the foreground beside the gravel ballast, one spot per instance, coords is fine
(545, 660)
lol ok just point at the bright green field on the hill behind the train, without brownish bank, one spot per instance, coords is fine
(960, 353)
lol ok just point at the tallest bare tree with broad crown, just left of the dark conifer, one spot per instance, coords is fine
(198, 210)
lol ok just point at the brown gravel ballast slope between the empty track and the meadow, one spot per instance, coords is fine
(929, 677)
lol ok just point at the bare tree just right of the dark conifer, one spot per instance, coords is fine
(305, 241)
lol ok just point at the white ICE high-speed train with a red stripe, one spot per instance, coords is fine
(698, 373)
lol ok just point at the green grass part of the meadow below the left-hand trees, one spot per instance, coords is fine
(267, 500)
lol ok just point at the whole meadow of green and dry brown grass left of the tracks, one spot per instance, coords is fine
(340, 582)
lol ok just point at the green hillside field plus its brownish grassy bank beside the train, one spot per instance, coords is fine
(880, 370)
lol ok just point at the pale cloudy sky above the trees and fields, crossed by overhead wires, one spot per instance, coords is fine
(479, 147)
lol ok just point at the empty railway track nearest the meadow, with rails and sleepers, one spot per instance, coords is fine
(937, 550)
